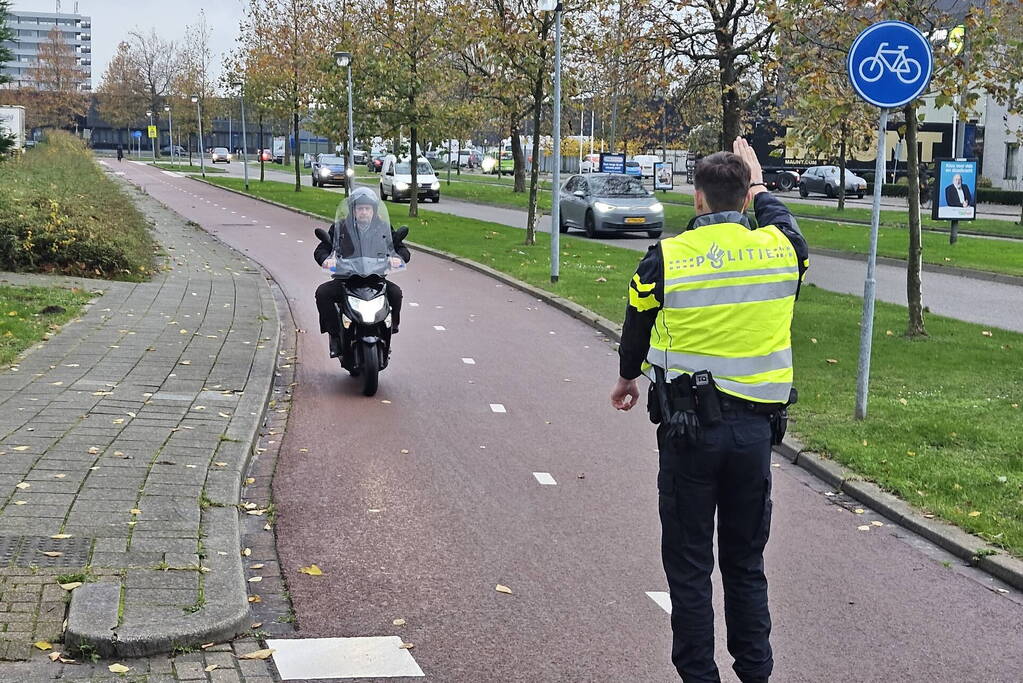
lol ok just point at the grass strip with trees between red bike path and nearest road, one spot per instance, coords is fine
(943, 430)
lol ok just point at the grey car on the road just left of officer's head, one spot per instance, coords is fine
(610, 203)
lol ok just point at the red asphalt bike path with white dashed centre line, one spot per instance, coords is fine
(426, 536)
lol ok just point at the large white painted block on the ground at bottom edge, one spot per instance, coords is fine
(381, 657)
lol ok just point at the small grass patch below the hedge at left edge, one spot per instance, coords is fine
(29, 315)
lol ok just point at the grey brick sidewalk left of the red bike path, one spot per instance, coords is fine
(123, 445)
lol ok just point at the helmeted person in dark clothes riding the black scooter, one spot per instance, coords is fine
(364, 216)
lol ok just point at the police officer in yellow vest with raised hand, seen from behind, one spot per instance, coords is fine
(708, 321)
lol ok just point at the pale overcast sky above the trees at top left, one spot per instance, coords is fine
(112, 20)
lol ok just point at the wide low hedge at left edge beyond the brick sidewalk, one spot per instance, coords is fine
(60, 213)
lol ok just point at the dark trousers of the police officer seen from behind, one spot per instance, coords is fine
(726, 470)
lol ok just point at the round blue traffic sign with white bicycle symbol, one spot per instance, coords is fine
(891, 64)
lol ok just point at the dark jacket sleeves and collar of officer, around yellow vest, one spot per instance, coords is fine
(636, 332)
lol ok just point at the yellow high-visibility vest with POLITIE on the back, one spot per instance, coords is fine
(729, 299)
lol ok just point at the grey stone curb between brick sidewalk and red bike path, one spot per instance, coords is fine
(95, 608)
